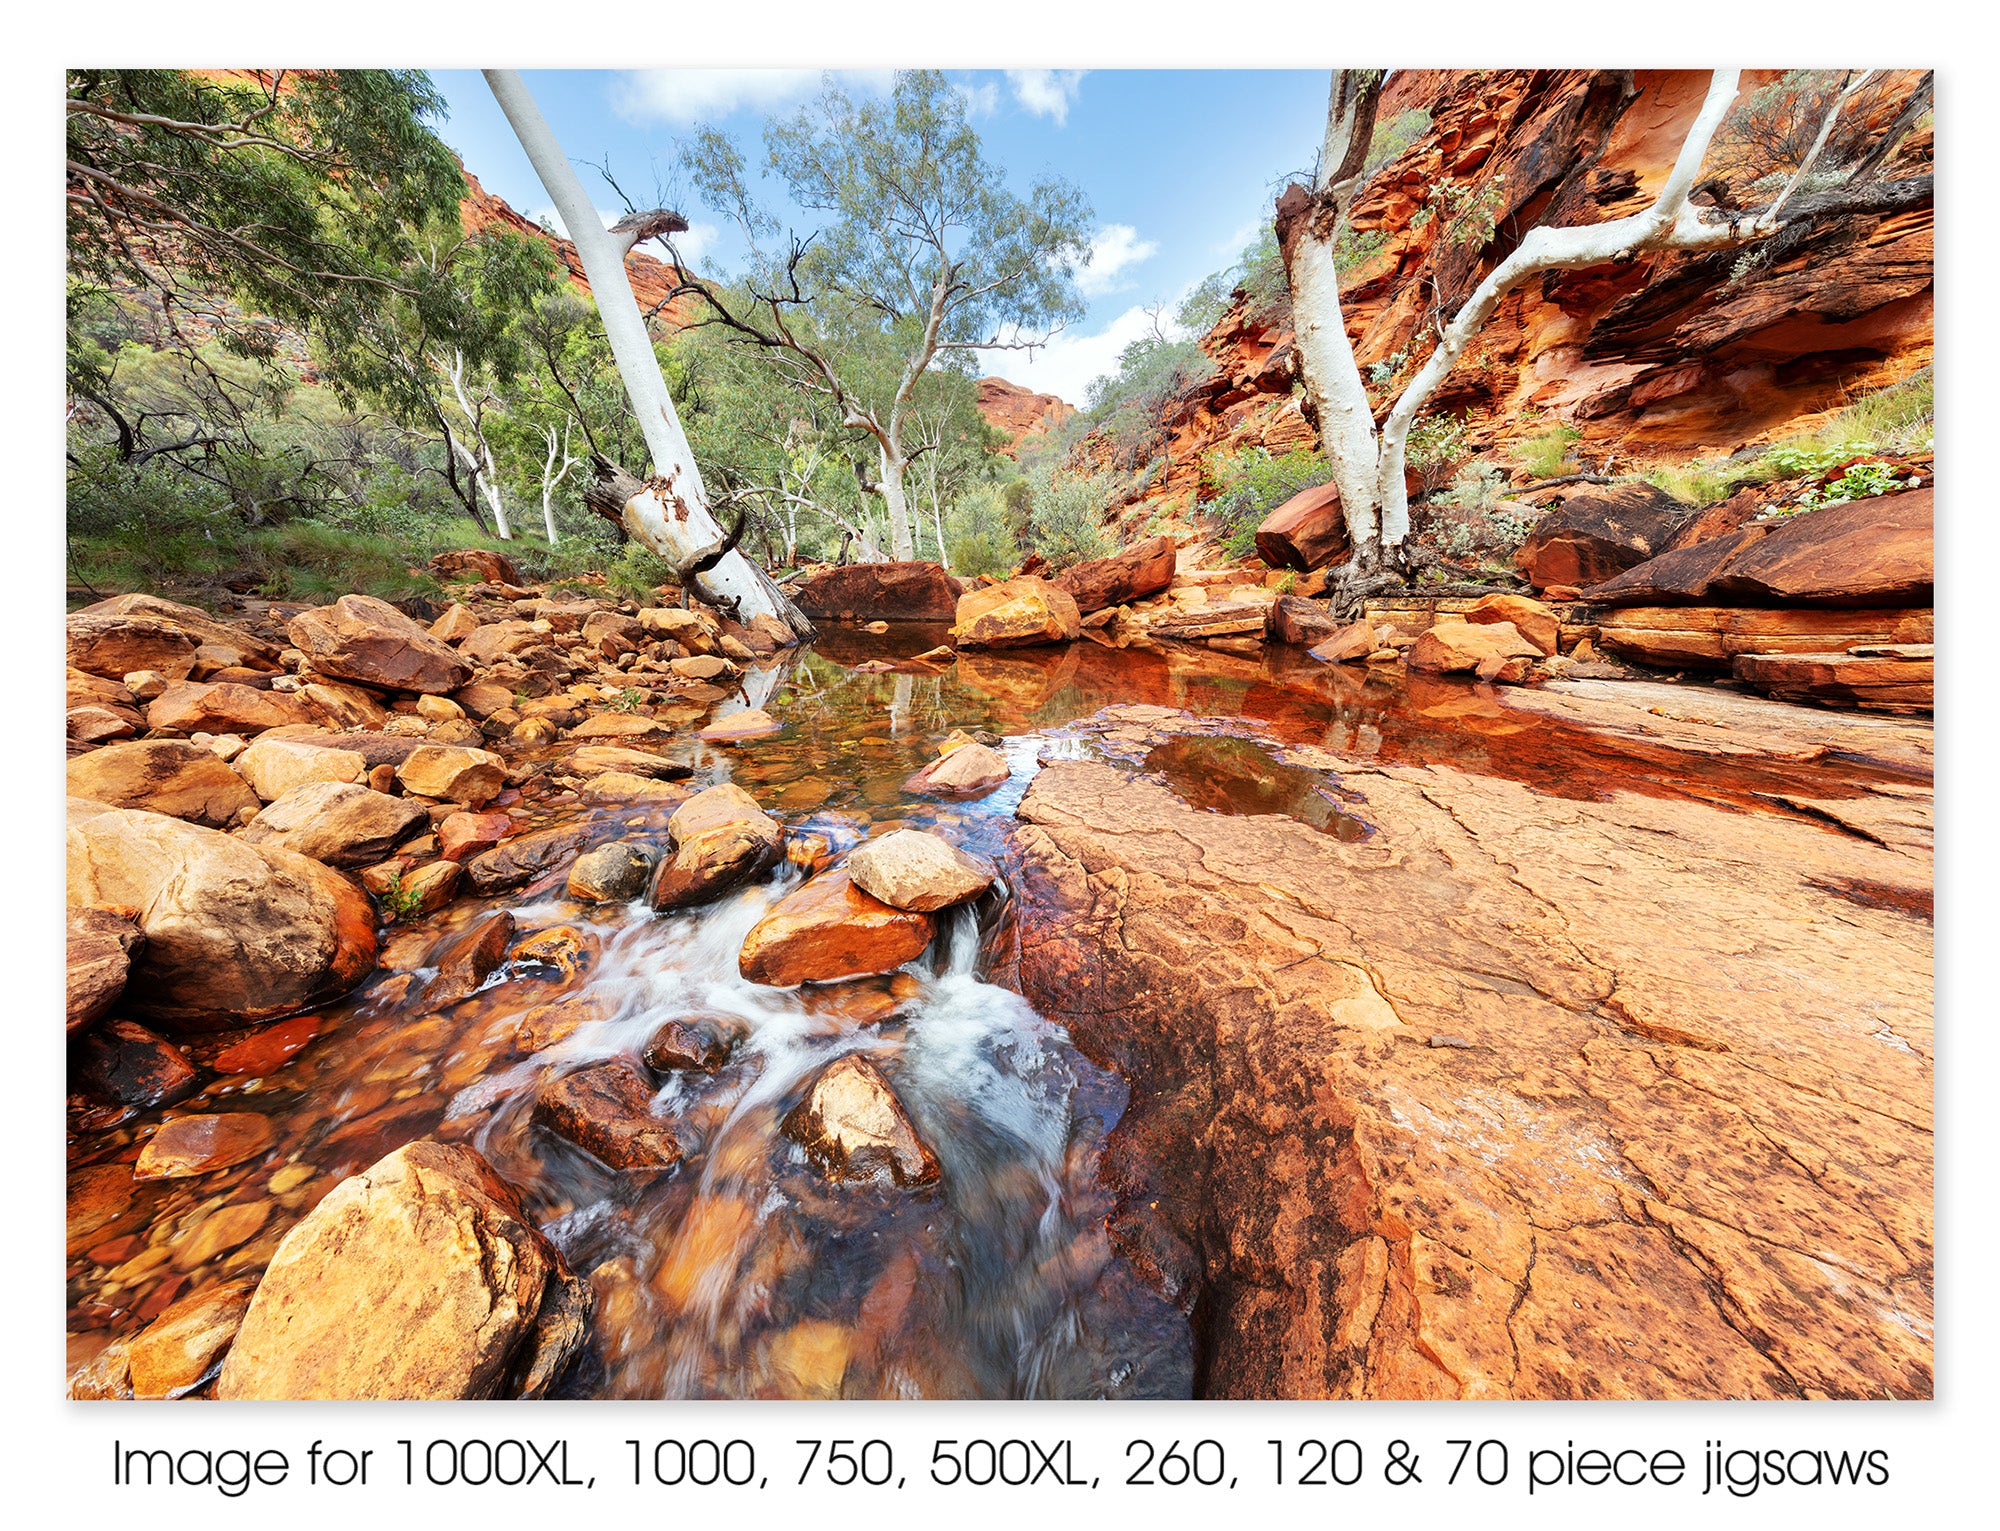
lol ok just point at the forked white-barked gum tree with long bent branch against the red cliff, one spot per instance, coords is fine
(1369, 457)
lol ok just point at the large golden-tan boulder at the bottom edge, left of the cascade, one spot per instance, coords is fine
(419, 1278)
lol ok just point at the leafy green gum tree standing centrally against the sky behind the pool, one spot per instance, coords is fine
(923, 257)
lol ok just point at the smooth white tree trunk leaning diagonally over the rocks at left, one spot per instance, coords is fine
(671, 511)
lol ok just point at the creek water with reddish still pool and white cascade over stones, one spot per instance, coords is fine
(745, 1272)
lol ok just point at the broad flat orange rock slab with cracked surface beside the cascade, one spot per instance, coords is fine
(1513, 1096)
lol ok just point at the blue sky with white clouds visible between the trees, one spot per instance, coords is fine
(1179, 165)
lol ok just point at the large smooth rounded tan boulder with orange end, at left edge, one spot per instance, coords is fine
(235, 932)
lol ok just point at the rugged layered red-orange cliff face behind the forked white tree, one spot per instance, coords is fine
(1661, 361)
